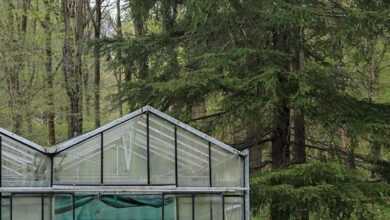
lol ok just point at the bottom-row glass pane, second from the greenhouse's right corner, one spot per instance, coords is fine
(208, 207)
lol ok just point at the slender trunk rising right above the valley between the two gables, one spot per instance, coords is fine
(50, 114)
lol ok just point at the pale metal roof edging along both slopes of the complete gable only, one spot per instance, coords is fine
(67, 144)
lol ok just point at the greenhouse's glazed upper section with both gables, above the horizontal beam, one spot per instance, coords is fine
(146, 150)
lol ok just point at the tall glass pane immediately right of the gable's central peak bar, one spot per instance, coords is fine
(162, 151)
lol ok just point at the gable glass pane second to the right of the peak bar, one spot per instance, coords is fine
(193, 159)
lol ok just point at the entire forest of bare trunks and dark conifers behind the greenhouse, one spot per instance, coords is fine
(304, 84)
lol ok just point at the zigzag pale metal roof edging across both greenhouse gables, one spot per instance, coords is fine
(69, 143)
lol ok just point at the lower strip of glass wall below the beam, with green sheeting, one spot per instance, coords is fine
(122, 207)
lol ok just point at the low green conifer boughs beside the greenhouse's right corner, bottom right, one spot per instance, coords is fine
(327, 189)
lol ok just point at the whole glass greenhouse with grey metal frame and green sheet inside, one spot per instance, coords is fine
(144, 166)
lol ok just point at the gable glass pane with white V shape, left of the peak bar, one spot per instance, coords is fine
(125, 154)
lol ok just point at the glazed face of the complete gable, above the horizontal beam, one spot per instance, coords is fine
(148, 150)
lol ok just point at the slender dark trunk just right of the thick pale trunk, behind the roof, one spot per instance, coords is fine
(97, 62)
